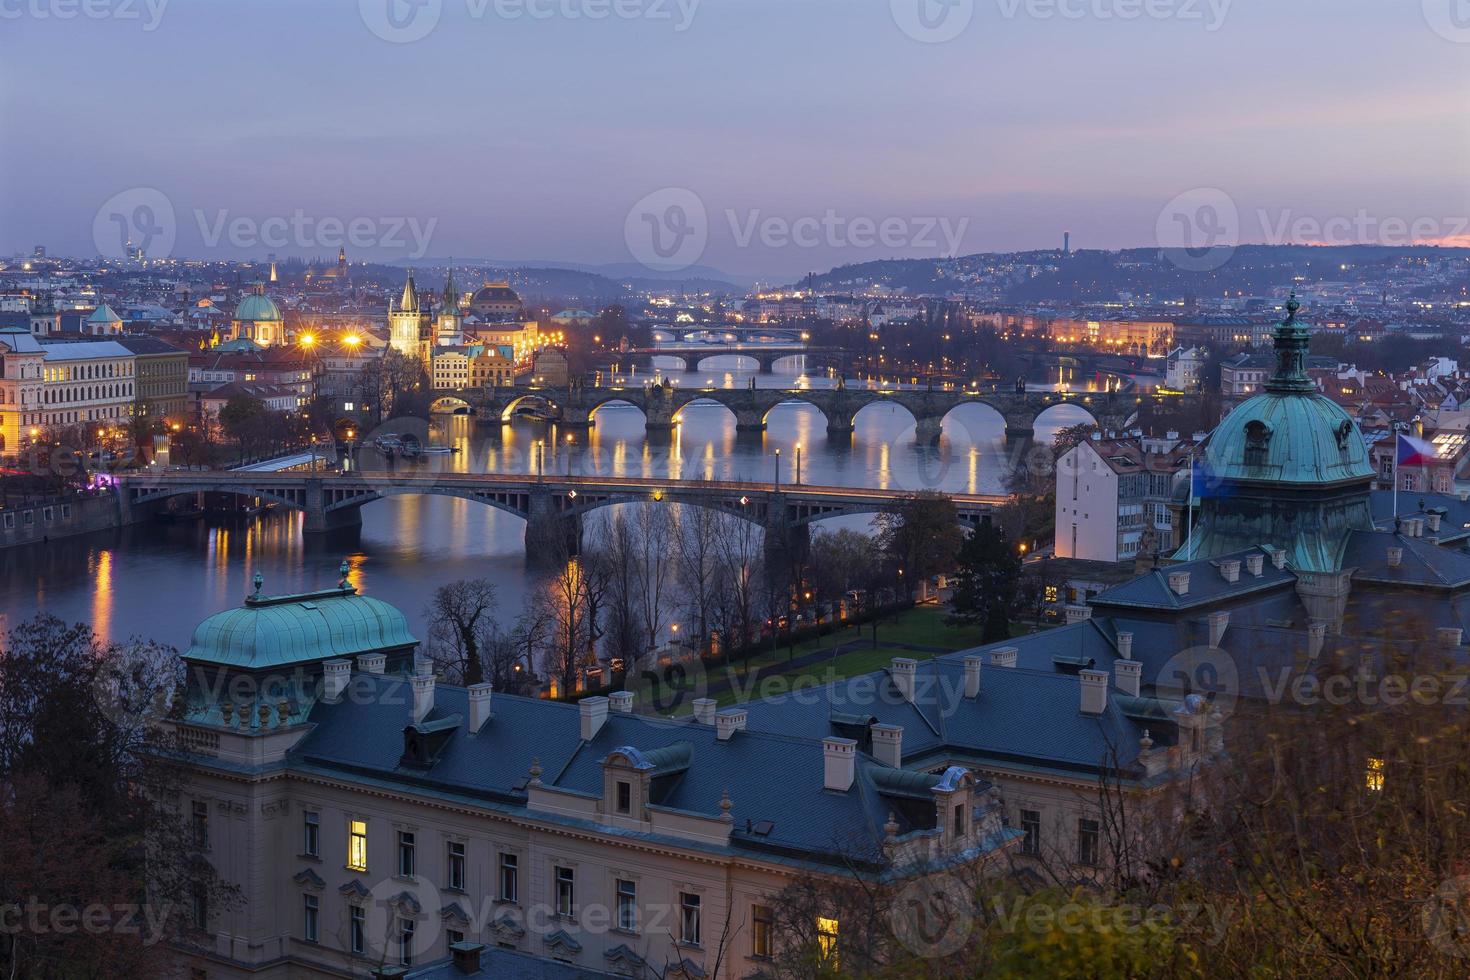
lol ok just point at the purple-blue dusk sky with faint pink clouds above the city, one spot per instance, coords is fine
(765, 139)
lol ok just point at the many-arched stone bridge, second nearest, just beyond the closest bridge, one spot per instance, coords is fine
(577, 406)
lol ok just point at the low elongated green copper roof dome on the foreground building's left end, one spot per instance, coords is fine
(286, 631)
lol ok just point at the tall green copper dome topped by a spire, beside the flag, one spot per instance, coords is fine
(1291, 434)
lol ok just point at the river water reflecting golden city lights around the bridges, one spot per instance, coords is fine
(158, 581)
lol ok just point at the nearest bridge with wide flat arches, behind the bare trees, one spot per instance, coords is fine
(552, 506)
